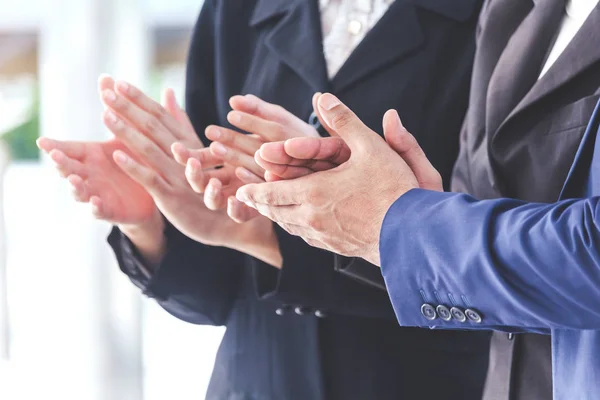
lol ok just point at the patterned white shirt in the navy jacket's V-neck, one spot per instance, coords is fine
(345, 23)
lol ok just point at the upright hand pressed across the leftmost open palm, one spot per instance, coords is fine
(149, 132)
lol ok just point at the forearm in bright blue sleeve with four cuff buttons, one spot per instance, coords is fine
(520, 264)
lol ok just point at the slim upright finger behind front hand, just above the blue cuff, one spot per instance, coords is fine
(408, 148)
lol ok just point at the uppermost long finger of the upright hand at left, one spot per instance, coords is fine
(153, 110)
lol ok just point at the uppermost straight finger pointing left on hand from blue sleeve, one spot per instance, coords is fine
(274, 193)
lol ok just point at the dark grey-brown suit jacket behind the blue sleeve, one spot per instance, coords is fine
(519, 140)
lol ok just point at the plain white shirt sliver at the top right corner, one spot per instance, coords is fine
(576, 12)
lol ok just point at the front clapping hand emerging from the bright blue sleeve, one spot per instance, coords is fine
(342, 209)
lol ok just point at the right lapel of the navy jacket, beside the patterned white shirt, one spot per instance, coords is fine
(400, 24)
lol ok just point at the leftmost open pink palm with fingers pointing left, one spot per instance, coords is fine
(96, 179)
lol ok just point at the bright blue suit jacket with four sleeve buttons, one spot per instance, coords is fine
(519, 266)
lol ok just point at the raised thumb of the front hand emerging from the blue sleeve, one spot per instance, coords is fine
(344, 122)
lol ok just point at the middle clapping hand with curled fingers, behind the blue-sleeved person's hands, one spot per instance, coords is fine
(265, 122)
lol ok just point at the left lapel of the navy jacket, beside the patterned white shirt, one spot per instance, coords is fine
(295, 37)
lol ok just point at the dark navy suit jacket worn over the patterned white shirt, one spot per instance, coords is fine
(337, 338)
